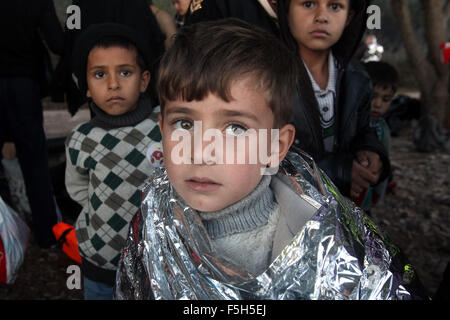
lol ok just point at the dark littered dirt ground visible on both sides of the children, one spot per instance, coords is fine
(416, 219)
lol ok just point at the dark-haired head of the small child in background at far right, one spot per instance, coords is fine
(384, 78)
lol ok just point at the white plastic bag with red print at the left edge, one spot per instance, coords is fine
(14, 235)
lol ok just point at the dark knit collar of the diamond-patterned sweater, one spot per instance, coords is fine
(107, 121)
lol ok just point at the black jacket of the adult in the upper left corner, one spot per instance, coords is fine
(22, 52)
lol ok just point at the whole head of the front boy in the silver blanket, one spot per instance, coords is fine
(233, 82)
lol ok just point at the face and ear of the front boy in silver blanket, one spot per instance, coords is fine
(204, 183)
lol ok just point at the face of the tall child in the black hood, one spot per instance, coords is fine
(318, 24)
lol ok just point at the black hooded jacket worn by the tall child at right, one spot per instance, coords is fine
(352, 105)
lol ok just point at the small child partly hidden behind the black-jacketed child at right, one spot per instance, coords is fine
(384, 78)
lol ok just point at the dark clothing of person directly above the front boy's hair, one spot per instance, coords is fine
(249, 10)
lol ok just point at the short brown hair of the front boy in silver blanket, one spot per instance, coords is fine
(207, 57)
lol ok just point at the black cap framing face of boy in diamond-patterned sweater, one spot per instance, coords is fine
(106, 35)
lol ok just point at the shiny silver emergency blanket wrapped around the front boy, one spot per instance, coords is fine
(338, 253)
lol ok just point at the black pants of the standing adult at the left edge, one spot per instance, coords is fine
(21, 122)
